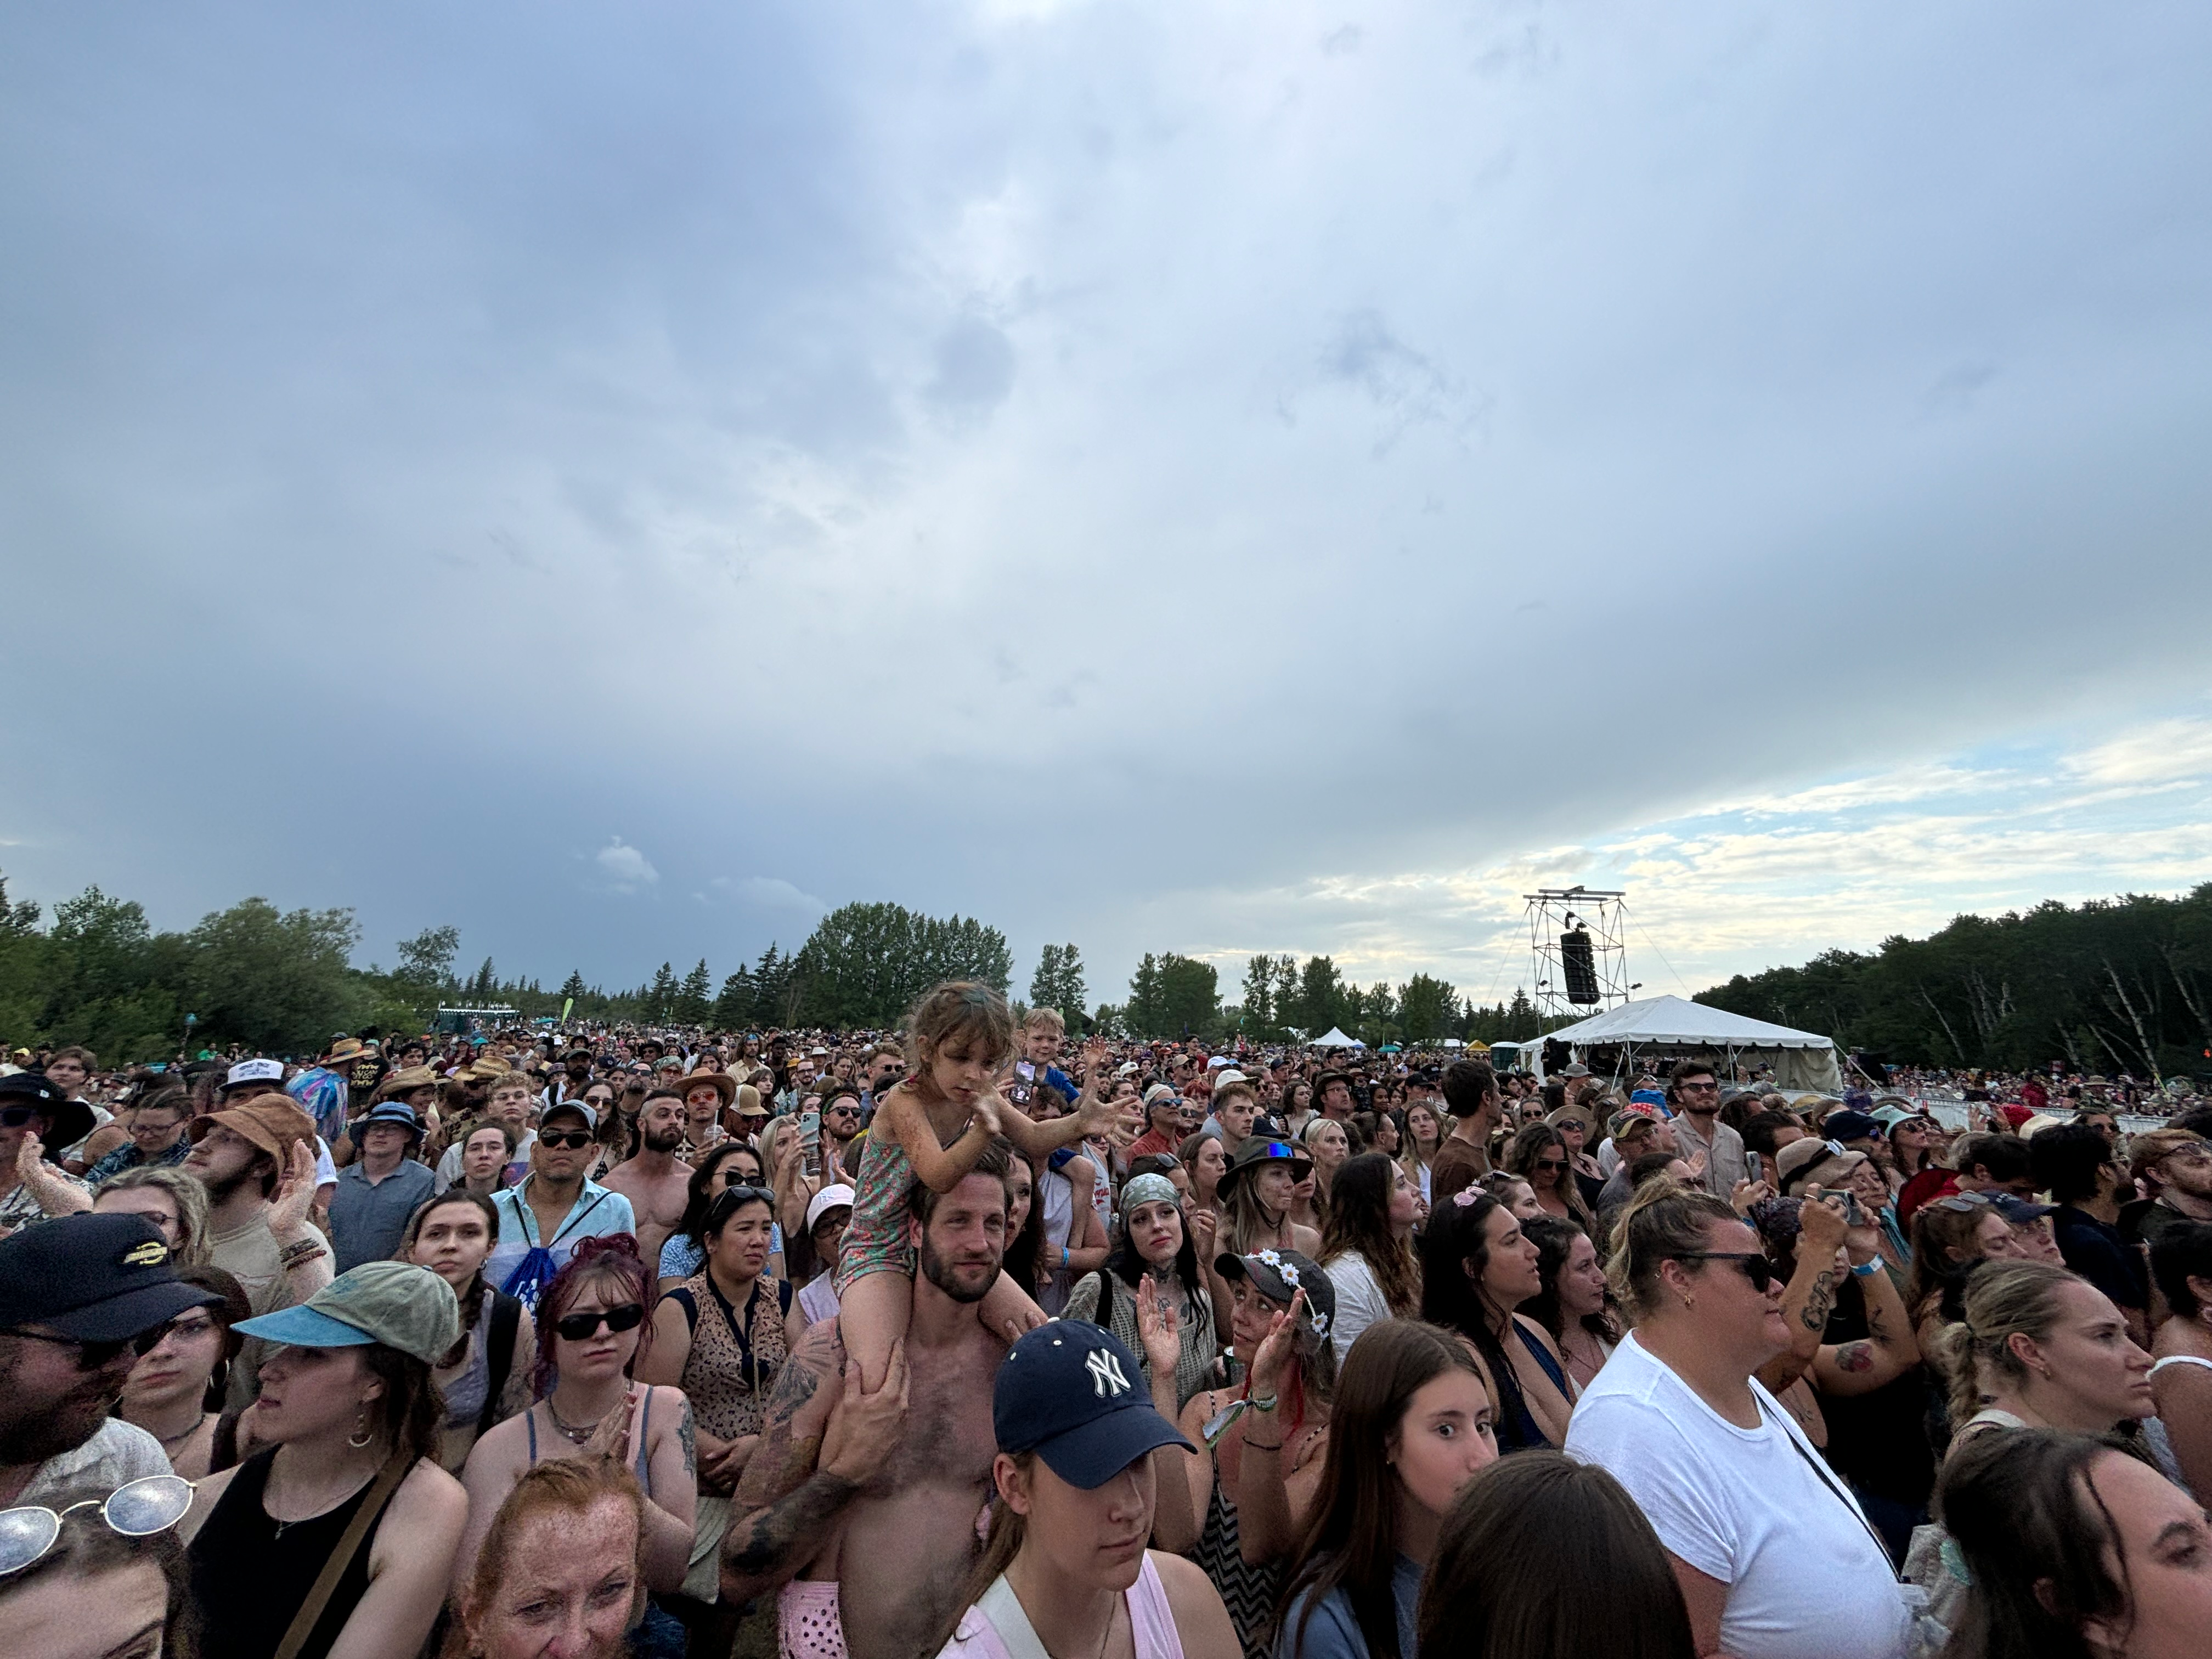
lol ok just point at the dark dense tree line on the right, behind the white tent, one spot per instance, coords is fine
(2114, 985)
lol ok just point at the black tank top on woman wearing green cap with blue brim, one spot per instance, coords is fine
(251, 1574)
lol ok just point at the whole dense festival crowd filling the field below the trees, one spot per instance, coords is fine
(979, 1342)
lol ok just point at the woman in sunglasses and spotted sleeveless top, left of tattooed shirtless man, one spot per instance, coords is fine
(722, 1337)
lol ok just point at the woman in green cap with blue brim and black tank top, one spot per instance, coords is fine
(351, 1426)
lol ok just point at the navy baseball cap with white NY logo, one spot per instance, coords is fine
(1076, 1397)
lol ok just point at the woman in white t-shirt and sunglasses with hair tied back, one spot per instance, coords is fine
(1773, 1554)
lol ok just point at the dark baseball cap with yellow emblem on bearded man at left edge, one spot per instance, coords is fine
(96, 1277)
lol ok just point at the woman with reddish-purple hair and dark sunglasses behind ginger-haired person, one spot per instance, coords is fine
(592, 1335)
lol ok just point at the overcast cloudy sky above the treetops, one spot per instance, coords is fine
(1165, 477)
